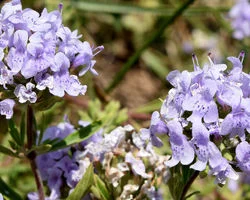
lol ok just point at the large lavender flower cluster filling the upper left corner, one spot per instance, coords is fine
(37, 52)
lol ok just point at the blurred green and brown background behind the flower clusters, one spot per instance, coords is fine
(125, 28)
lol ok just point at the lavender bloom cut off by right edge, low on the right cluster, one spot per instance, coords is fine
(243, 156)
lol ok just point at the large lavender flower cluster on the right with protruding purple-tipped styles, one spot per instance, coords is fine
(207, 114)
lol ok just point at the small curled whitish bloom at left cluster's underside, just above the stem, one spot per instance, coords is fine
(25, 93)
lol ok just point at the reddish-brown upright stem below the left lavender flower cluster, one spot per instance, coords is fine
(31, 136)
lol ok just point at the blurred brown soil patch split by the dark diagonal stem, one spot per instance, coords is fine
(138, 87)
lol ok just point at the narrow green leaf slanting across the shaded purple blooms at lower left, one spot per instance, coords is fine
(80, 135)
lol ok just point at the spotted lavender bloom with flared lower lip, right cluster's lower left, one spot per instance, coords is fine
(182, 150)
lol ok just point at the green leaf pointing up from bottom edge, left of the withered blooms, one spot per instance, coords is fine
(84, 185)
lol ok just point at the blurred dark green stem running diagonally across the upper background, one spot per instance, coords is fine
(132, 60)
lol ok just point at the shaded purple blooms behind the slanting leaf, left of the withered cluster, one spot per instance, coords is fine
(55, 167)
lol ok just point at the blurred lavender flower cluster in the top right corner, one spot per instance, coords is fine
(240, 15)
